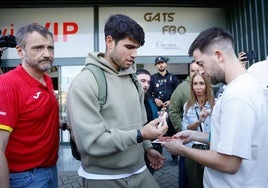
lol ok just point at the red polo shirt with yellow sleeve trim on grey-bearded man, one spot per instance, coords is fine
(30, 112)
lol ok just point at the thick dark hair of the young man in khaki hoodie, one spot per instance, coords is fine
(120, 26)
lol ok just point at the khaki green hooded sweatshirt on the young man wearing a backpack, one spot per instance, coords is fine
(107, 139)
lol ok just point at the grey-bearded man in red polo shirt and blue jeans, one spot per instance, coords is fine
(29, 117)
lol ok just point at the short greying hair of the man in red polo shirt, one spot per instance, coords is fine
(23, 31)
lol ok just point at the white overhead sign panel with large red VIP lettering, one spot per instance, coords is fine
(73, 33)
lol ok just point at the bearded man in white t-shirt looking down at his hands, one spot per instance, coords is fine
(238, 142)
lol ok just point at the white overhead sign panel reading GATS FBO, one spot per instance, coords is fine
(168, 31)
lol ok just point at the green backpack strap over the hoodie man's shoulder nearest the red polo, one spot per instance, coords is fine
(101, 82)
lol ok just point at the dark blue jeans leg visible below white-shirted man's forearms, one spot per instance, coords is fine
(183, 176)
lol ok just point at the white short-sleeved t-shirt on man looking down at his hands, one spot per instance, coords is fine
(239, 127)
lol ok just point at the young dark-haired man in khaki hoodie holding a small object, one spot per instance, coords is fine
(112, 139)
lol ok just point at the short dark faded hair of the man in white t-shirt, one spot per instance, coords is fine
(208, 37)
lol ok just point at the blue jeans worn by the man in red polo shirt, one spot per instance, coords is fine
(36, 178)
